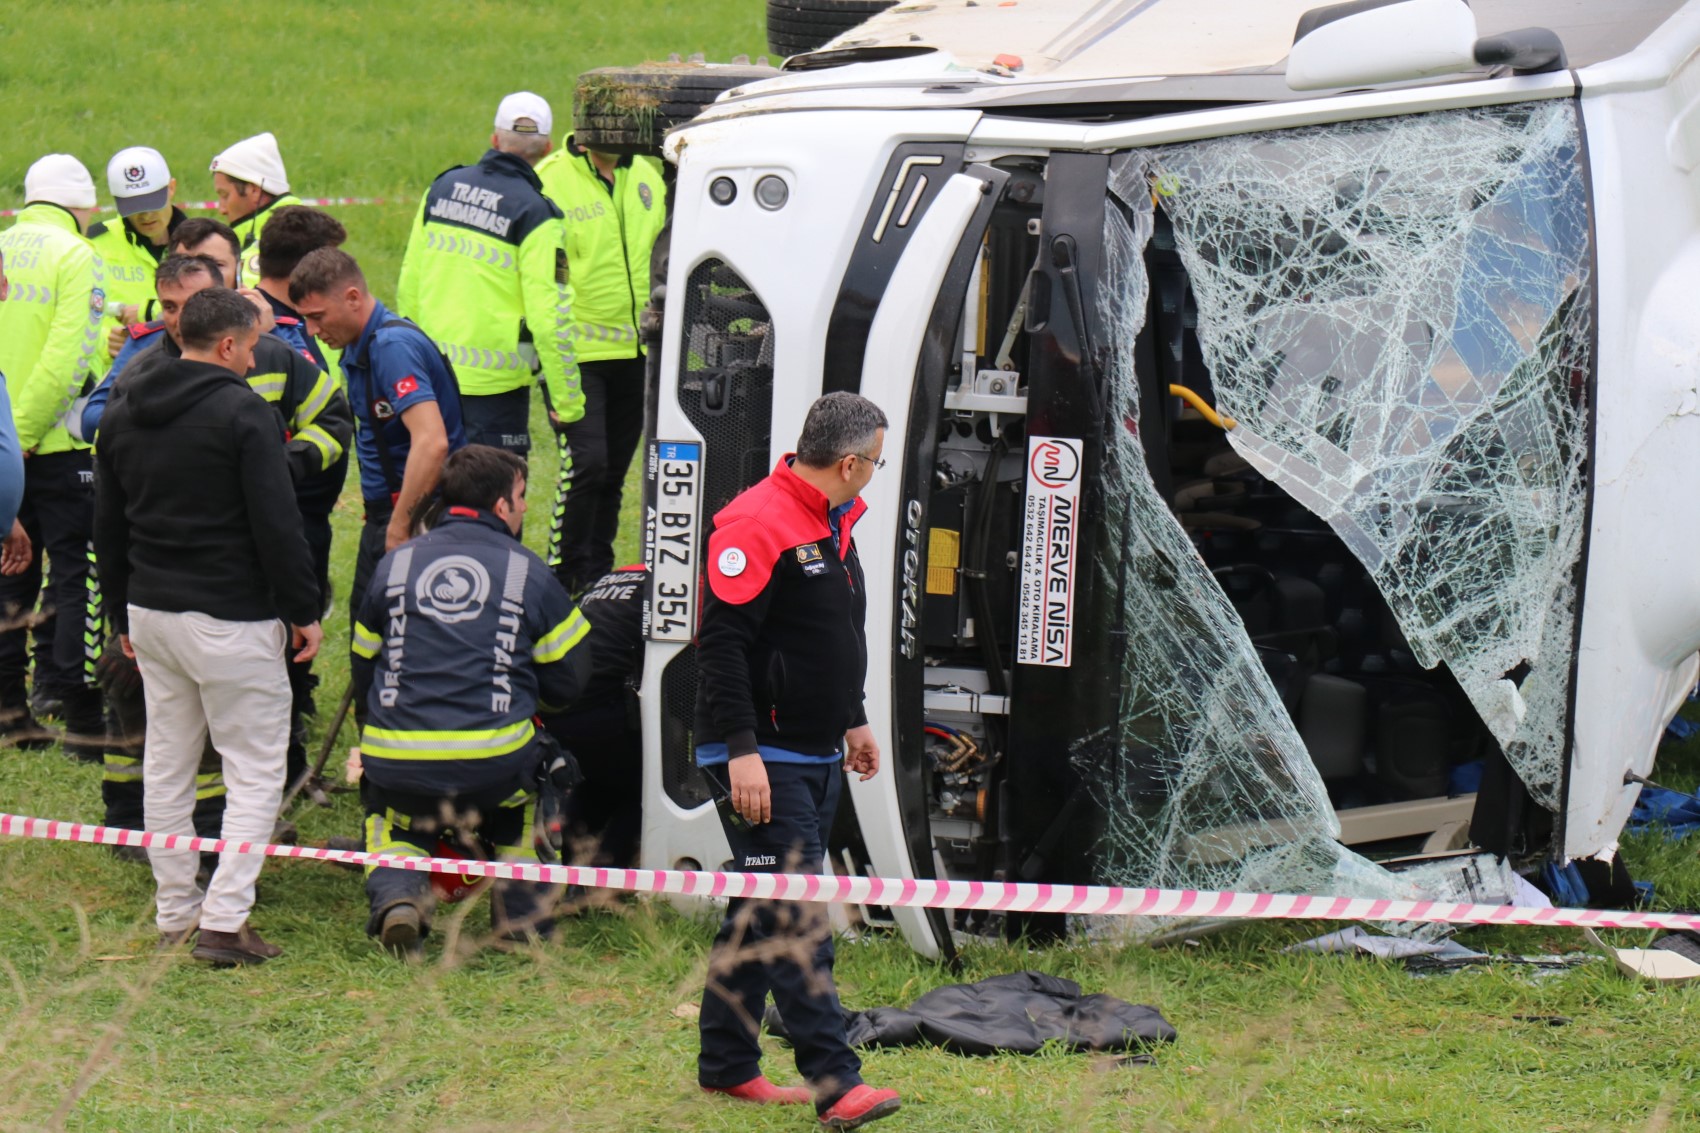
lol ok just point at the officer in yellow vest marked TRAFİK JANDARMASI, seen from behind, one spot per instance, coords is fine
(485, 270)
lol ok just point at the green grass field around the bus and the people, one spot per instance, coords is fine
(594, 1033)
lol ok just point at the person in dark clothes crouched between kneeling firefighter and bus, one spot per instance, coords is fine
(604, 729)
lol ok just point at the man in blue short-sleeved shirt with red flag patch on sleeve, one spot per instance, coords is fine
(402, 390)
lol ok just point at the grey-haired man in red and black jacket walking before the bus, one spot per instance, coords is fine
(779, 710)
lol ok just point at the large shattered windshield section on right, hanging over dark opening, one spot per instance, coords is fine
(1397, 314)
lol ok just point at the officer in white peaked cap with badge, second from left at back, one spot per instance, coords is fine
(133, 244)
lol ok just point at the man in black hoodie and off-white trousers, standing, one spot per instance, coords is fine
(201, 554)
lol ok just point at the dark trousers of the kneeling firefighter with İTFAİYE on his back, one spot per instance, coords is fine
(494, 826)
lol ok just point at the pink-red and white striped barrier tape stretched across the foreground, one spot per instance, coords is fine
(992, 896)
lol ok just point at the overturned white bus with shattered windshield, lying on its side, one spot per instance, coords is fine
(1289, 406)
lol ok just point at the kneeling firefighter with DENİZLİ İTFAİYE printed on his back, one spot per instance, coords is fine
(460, 641)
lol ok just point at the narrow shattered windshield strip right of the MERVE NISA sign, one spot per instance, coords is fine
(1203, 778)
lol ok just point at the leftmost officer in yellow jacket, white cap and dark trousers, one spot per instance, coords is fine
(50, 334)
